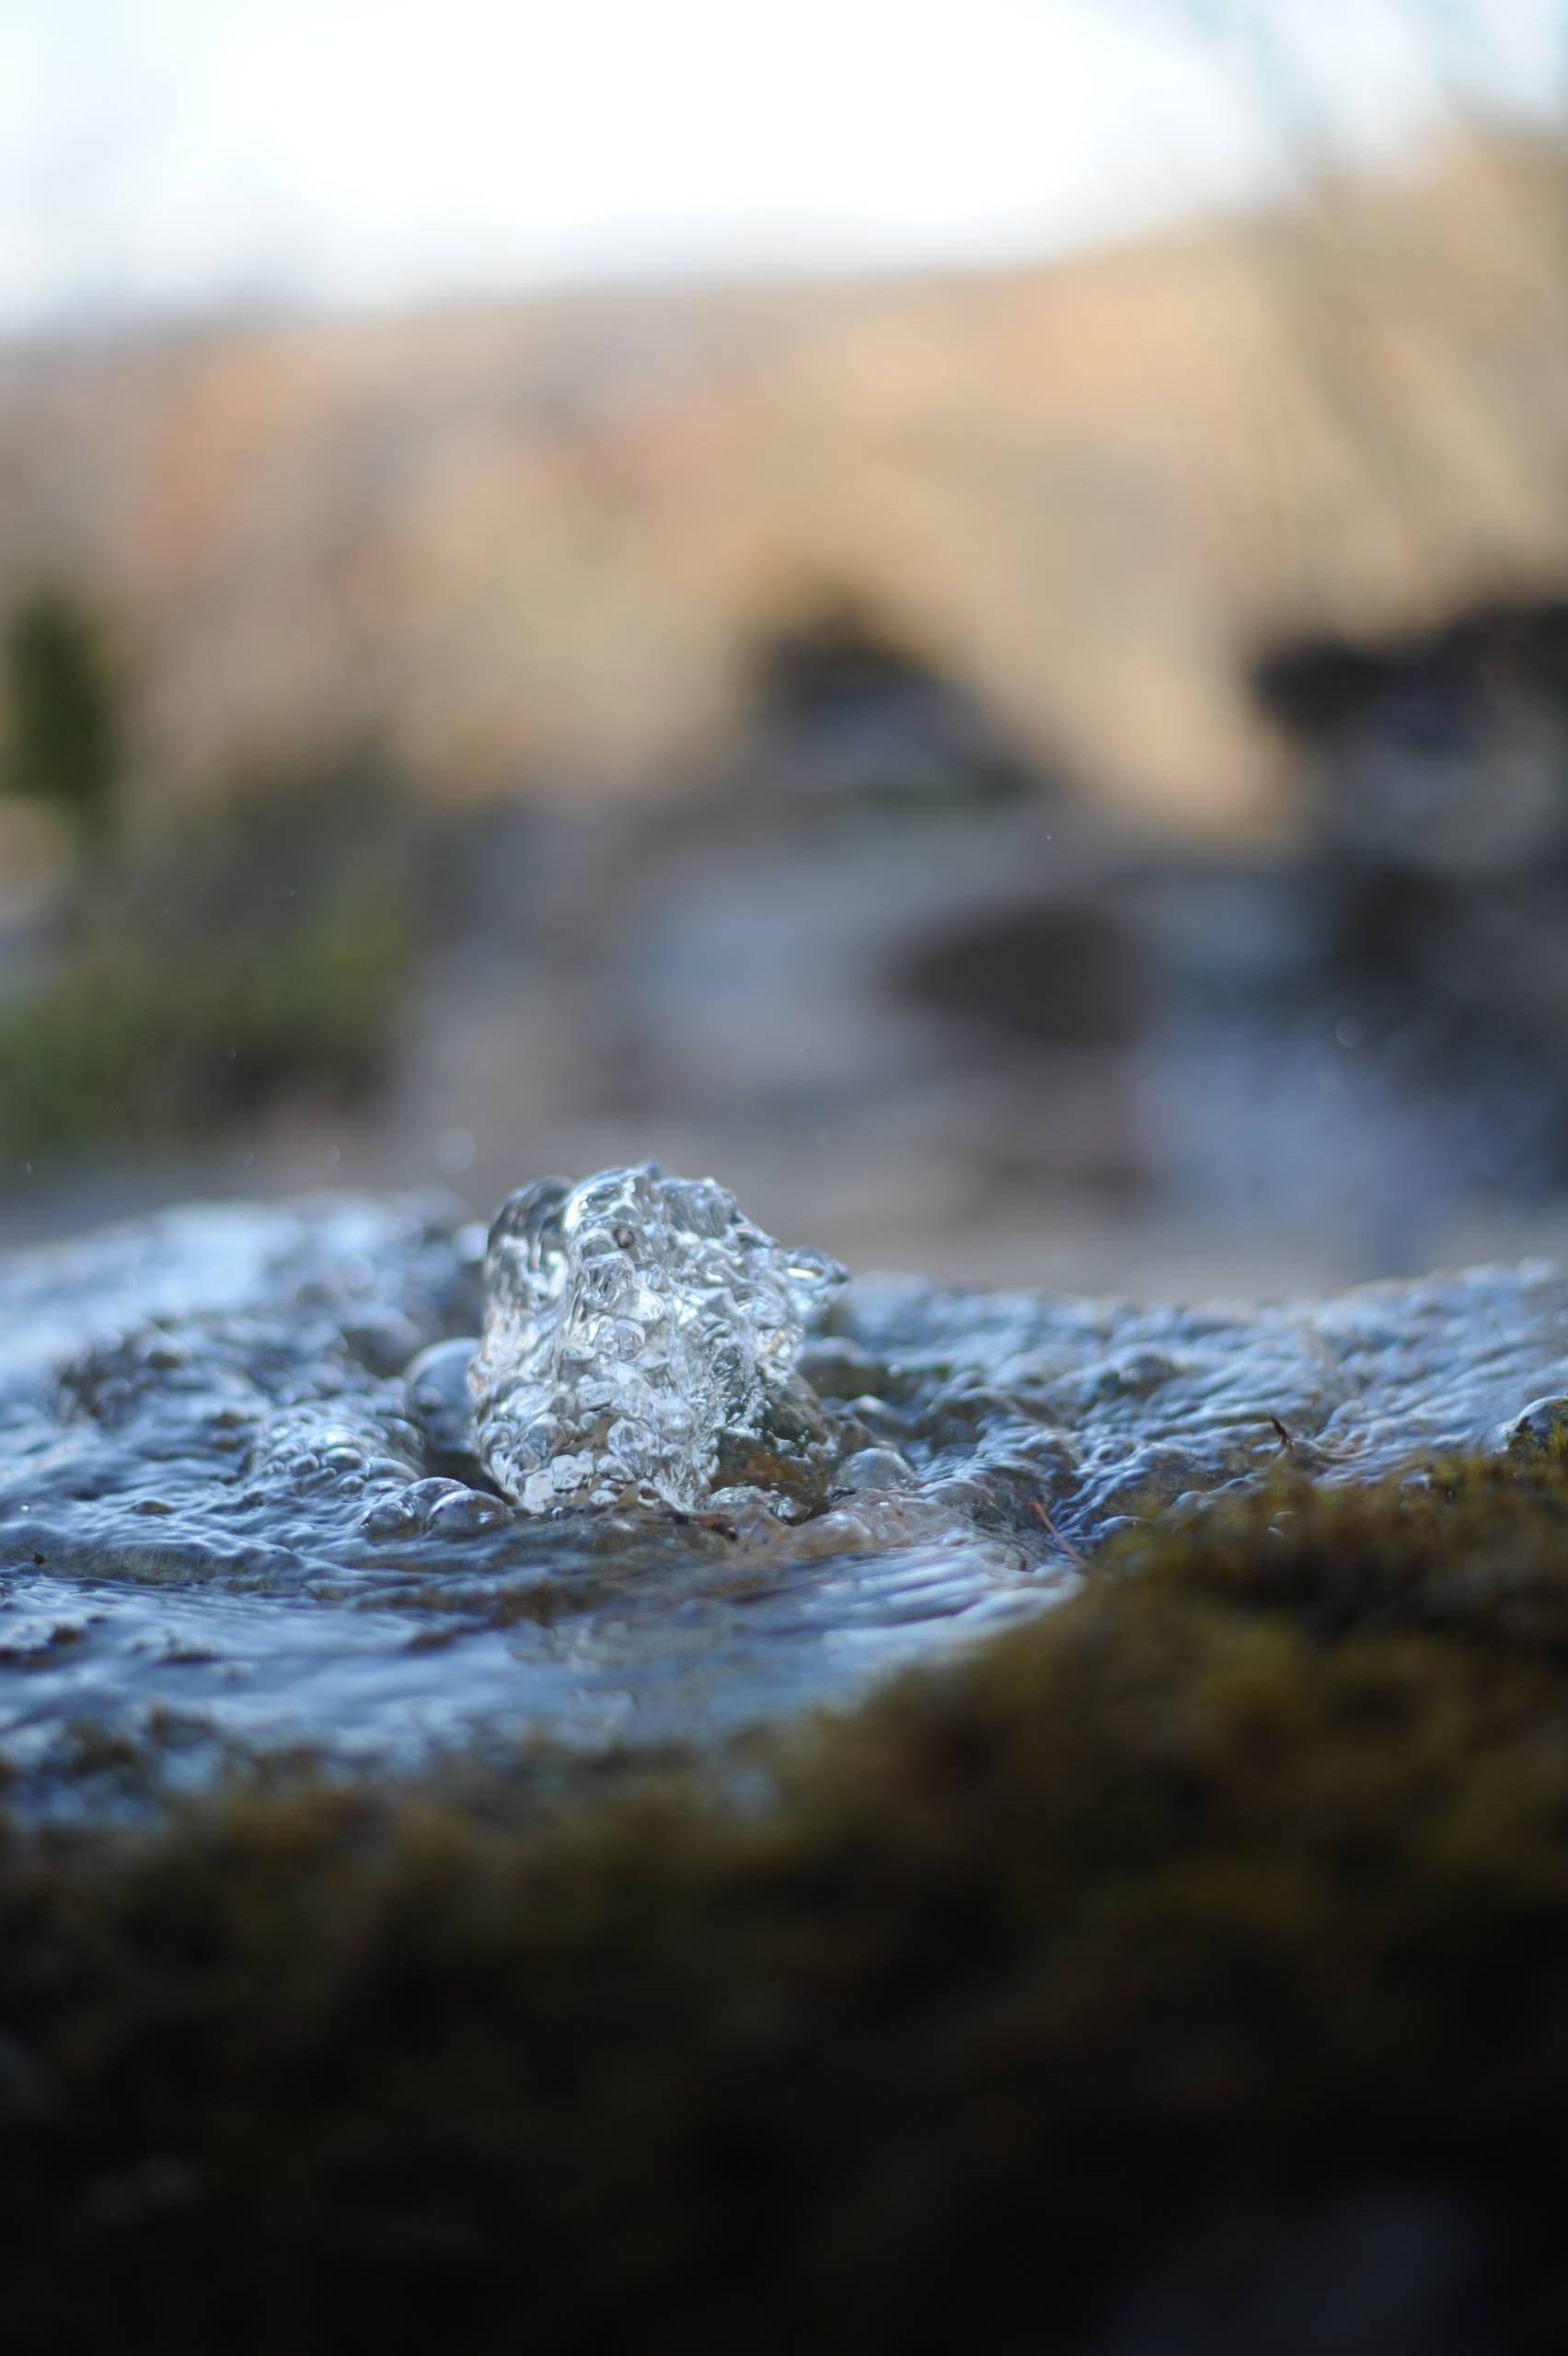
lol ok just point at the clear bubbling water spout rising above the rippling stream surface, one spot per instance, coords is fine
(639, 1349)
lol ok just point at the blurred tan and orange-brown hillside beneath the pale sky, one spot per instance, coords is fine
(536, 543)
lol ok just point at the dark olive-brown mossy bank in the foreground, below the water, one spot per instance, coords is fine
(1235, 1888)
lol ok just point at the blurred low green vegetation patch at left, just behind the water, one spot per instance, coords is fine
(258, 951)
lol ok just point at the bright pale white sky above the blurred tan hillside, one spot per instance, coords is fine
(173, 154)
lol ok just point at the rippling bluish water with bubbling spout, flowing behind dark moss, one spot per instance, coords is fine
(340, 1474)
